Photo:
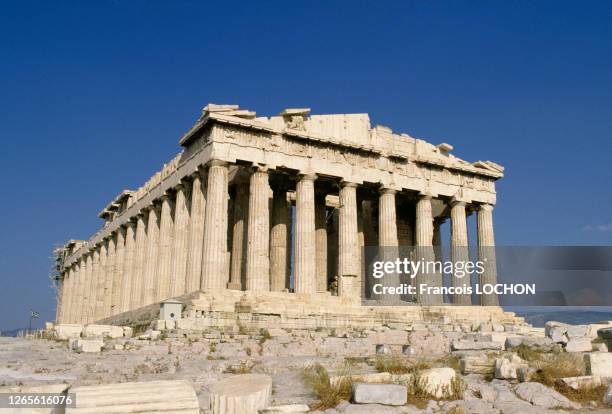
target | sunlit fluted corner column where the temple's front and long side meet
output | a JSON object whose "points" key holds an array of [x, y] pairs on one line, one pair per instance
{"points": [[214, 252]]}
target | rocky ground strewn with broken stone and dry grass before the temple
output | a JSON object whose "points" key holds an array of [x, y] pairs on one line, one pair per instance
{"points": [[464, 373]]}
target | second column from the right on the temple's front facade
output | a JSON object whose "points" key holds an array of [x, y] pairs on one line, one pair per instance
{"points": [[459, 250]]}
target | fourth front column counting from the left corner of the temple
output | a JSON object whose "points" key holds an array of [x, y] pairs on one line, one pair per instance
{"points": [[348, 243]]}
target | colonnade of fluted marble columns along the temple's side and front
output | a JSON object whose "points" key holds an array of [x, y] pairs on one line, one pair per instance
{"points": [[159, 254]]}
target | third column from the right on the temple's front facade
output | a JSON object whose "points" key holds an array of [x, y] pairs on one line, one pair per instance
{"points": [[424, 250]]}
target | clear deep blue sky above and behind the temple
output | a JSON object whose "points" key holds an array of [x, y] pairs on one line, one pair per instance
{"points": [[94, 97]]}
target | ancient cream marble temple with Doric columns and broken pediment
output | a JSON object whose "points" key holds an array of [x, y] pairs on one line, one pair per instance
{"points": [[273, 204]]}
